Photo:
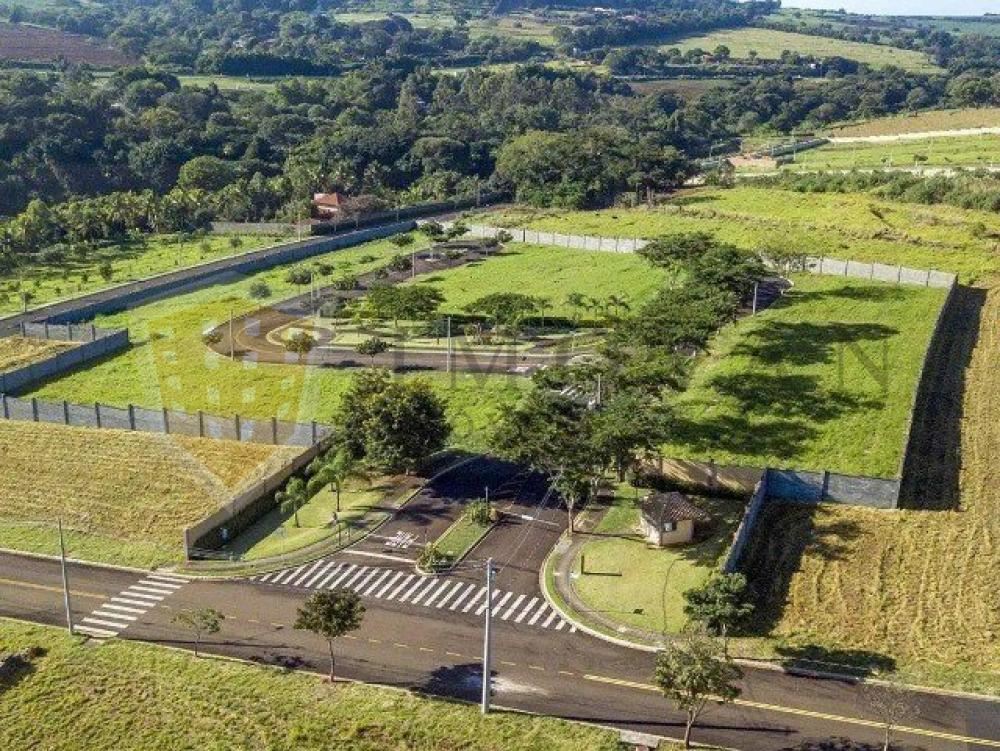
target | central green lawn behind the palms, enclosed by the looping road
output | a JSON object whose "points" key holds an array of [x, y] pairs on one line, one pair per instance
{"points": [[551, 273]]}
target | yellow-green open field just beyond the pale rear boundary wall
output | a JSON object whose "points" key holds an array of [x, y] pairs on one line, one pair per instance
{"points": [[858, 226]]}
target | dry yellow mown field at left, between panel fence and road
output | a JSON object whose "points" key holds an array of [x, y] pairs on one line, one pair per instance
{"points": [[124, 497]]}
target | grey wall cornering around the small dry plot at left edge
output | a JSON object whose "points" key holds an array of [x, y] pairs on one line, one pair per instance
{"points": [[94, 344]]}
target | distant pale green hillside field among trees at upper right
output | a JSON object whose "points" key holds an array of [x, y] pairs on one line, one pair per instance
{"points": [[769, 45]]}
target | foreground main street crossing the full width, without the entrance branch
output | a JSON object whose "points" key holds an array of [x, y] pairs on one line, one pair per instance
{"points": [[556, 672]]}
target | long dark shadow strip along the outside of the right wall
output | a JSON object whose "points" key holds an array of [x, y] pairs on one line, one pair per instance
{"points": [[933, 457]]}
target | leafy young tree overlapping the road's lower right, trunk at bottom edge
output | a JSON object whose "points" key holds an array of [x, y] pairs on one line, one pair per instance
{"points": [[693, 672]]}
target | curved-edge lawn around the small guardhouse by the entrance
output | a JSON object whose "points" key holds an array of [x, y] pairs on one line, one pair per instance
{"points": [[643, 586]]}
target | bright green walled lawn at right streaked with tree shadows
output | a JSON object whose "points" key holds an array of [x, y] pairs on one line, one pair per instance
{"points": [[822, 380]]}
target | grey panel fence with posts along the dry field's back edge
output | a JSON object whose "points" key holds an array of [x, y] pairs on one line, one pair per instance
{"points": [[167, 421]]}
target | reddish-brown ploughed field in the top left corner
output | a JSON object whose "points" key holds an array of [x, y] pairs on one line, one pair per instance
{"points": [[26, 43]]}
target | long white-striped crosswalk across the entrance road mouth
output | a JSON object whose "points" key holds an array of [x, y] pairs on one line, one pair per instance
{"points": [[445, 594]]}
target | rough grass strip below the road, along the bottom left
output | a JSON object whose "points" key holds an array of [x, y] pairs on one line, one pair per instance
{"points": [[125, 696]]}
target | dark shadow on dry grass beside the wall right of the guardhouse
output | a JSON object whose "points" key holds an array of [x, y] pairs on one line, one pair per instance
{"points": [[782, 536]]}
